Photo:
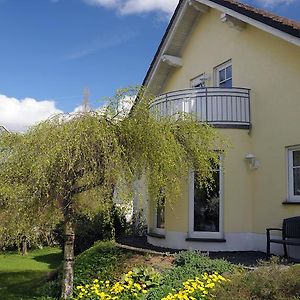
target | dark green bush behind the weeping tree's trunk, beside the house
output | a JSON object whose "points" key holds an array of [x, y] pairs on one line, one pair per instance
{"points": [[89, 230]]}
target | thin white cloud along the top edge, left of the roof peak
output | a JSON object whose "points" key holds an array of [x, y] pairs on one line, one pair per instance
{"points": [[137, 6]]}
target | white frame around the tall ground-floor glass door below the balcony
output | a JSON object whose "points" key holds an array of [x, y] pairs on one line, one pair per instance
{"points": [[203, 234]]}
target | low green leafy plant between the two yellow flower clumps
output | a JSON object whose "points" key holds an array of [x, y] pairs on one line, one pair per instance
{"points": [[187, 265]]}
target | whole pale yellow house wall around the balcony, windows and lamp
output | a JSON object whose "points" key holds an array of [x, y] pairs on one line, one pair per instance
{"points": [[270, 67]]}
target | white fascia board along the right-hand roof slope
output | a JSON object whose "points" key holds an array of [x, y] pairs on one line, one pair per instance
{"points": [[285, 36]]}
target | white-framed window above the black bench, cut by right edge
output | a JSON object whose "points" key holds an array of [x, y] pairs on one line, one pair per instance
{"points": [[294, 174]]}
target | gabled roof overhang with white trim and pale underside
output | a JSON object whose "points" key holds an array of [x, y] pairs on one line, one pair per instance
{"points": [[183, 20]]}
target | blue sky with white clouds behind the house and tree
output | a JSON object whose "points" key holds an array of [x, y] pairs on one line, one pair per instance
{"points": [[52, 49]]}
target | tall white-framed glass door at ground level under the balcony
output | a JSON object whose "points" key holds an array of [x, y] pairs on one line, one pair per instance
{"points": [[206, 208]]}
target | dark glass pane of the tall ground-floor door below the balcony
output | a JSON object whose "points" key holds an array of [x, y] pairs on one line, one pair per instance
{"points": [[207, 207]]}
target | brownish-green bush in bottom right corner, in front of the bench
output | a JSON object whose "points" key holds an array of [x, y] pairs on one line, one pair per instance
{"points": [[268, 282]]}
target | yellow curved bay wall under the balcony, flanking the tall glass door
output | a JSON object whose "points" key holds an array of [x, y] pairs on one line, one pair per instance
{"points": [[237, 190]]}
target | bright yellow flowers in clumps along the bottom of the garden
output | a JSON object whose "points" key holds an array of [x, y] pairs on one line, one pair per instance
{"points": [[138, 283]]}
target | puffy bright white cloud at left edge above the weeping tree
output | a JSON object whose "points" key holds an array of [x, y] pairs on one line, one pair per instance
{"points": [[18, 115]]}
